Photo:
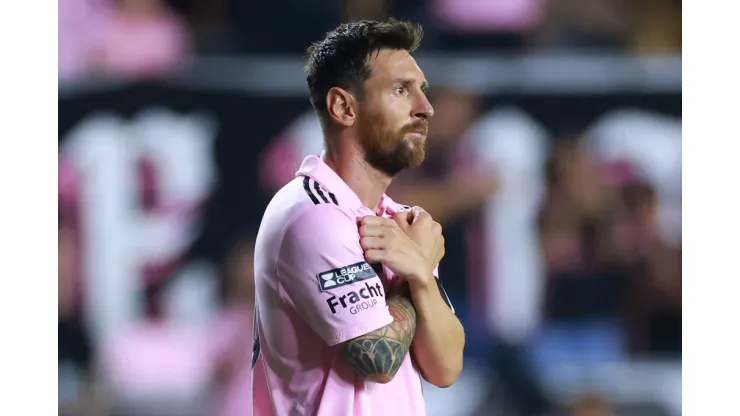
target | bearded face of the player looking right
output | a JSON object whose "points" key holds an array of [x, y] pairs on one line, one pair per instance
{"points": [[392, 119]]}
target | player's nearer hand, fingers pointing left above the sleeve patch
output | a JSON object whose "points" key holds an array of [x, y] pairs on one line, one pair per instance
{"points": [[383, 241]]}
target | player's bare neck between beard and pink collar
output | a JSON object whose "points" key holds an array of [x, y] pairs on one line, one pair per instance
{"points": [[368, 183]]}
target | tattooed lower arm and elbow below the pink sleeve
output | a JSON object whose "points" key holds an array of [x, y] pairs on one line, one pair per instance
{"points": [[382, 351]]}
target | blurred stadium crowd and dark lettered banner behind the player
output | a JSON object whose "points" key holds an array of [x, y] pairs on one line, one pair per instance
{"points": [[554, 164]]}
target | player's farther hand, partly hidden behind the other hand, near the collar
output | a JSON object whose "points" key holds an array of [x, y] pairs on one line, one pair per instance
{"points": [[424, 231]]}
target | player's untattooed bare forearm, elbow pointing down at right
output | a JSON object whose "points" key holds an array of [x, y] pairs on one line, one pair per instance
{"points": [[440, 337]]}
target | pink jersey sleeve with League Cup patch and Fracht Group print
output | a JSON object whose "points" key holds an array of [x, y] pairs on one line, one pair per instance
{"points": [[324, 274]]}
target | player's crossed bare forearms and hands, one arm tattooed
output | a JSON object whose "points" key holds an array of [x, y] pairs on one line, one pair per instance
{"points": [[439, 341]]}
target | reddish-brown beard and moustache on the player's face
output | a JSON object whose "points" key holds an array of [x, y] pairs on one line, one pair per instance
{"points": [[389, 150]]}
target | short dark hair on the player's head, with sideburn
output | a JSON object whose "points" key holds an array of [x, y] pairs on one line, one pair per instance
{"points": [[340, 59]]}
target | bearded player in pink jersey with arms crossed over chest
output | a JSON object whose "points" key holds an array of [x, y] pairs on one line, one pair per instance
{"points": [[349, 310]]}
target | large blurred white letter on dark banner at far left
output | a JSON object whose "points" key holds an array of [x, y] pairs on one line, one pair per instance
{"points": [[140, 185]]}
